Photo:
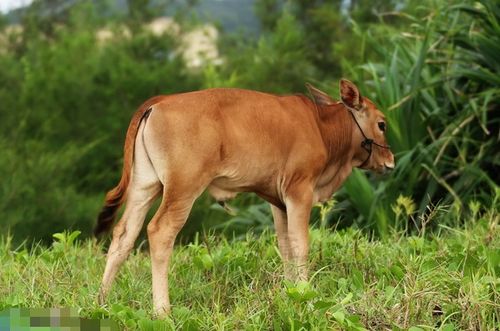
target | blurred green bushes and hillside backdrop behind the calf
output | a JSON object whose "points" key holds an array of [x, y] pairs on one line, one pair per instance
{"points": [[72, 73]]}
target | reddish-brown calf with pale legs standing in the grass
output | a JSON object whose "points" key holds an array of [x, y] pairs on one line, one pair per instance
{"points": [[290, 150]]}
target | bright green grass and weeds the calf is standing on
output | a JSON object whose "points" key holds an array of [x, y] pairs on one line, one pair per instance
{"points": [[448, 281]]}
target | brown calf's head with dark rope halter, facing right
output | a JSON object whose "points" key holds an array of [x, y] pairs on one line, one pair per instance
{"points": [[372, 151]]}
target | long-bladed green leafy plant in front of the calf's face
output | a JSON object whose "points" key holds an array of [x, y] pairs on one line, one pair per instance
{"points": [[439, 112]]}
